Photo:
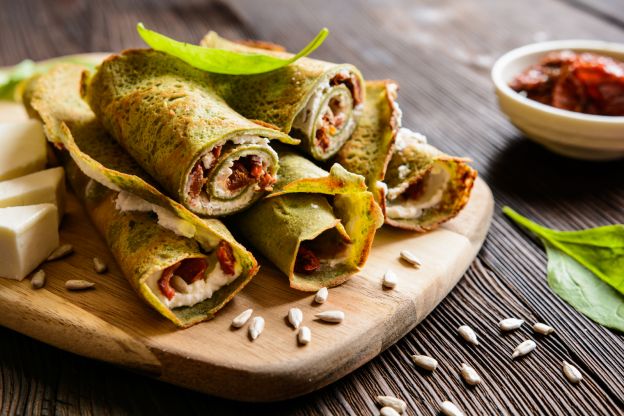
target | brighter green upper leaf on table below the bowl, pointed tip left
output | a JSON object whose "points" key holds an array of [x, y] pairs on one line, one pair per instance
{"points": [[601, 249]]}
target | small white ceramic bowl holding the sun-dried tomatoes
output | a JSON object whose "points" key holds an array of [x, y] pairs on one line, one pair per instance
{"points": [[577, 135]]}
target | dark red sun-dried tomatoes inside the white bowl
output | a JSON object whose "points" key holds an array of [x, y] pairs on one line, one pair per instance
{"points": [[582, 82]]}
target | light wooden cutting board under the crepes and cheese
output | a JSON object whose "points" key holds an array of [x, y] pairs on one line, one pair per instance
{"points": [[112, 324]]}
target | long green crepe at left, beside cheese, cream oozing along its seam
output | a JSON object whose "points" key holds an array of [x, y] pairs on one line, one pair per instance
{"points": [[185, 267]]}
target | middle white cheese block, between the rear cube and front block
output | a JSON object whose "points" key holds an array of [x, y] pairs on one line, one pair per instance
{"points": [[37, 188]]}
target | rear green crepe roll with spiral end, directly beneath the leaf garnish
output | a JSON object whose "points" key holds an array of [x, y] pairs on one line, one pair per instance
{"points": [[313, 100]]}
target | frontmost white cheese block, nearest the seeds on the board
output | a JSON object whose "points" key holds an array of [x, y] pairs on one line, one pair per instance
{"points": [[28, 234]]}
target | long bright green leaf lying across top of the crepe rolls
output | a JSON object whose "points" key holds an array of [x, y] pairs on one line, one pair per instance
{"points": [[222, 61]]}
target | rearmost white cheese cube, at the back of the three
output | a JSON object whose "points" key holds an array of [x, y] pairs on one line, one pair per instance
{"points": [[22, 149]]}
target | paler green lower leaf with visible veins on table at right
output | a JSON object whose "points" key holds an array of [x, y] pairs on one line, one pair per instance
{"points": [[582, 290]]}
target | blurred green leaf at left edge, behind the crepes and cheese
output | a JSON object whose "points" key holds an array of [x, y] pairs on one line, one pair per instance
{"points": [[11, 78]]}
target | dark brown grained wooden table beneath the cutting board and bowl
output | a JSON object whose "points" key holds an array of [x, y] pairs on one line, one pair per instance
{"points": [[440, 51]]}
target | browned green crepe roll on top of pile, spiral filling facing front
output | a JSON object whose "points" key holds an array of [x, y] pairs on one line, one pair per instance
{"points": [[167, 116]]}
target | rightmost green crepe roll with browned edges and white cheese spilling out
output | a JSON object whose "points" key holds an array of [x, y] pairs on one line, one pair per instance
{"points": [[417, 186]]}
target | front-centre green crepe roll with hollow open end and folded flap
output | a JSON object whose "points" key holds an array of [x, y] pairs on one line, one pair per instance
{"points": [[317, 227]]}
